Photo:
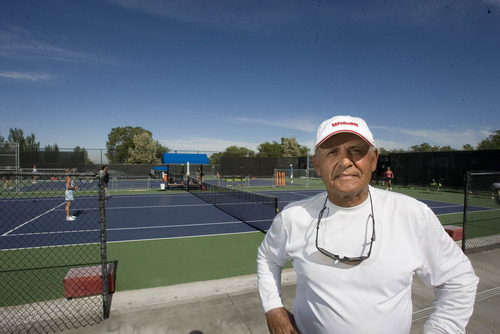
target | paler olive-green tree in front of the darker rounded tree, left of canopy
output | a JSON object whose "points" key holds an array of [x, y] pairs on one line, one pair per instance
{"points": [[144, 150]]}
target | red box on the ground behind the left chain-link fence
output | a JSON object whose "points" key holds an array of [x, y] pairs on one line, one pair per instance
{"points": [[86, 281]]}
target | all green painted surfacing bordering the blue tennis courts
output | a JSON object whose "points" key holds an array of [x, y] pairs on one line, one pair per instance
{"points": [[162, 262]]}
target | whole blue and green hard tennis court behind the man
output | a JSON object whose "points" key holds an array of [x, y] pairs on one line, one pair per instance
{"points": [[154, 238]]}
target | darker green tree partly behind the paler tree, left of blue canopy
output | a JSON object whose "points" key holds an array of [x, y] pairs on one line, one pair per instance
{"points": [[121, 139]]}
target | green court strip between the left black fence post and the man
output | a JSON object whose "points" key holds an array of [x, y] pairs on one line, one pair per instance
{"points": [[146, 264]]}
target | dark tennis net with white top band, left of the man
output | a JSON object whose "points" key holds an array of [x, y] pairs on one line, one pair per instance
{"points": [[256, 210]]}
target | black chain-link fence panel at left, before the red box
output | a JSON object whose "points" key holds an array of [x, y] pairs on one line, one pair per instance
{"points": [[53, 270]]}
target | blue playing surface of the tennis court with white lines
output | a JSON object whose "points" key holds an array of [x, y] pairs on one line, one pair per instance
{"points": [[137, 217]]}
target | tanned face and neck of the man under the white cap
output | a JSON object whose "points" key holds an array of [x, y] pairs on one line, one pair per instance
{"points": [[345, 162]]}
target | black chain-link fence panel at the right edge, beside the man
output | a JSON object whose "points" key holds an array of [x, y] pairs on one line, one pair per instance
{"points": [[481, 222]]}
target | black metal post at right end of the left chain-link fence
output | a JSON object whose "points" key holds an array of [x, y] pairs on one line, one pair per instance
{"points": [[104, 257]]}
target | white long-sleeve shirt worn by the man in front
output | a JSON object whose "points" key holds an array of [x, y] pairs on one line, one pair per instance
{"points": [[375, 295]]}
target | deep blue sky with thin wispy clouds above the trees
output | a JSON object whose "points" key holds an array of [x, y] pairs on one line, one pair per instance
{"points": [[204, 75]]}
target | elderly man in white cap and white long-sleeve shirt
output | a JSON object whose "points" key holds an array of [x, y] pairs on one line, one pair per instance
{"points": [[355, 250]]}
